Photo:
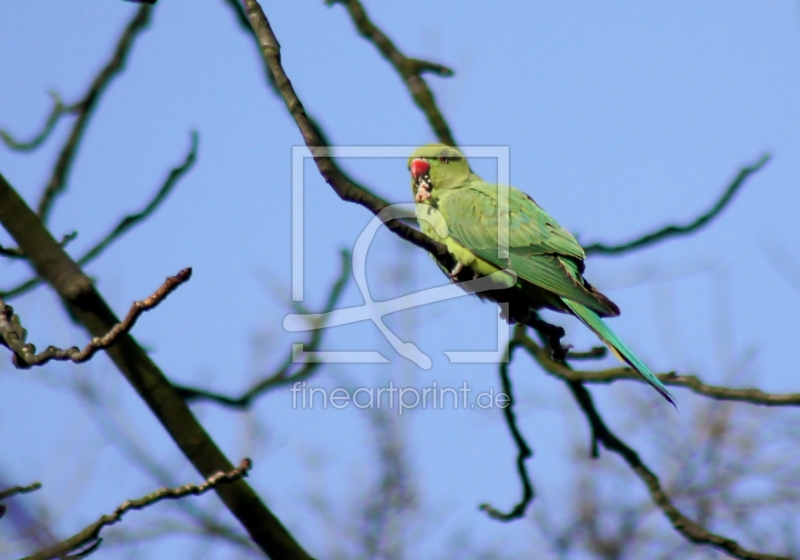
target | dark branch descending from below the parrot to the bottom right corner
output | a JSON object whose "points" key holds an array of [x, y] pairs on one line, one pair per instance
{"points": [[602, 435]]}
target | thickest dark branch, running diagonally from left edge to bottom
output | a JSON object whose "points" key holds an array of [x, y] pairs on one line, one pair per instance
{"points": [[87, 307]]}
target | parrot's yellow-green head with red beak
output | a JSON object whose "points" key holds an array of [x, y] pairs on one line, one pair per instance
{"points": [[436, 166]]}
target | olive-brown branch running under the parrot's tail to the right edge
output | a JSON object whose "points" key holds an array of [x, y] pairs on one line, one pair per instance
{"points": [[691, 382]]}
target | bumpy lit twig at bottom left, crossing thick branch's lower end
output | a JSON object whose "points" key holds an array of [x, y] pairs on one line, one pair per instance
{"points": [[89, 540]]}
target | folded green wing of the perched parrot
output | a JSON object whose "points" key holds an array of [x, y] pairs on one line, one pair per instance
{"points": [[540, 251]]}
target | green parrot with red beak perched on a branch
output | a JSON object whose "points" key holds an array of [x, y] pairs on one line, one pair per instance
{"points": [[547, 259]]}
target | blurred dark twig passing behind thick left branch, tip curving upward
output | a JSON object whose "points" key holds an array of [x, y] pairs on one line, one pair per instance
{"points": [[125, 224]]}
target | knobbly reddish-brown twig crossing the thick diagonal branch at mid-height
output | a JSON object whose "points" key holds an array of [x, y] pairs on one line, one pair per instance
{"points": [[12, 335]]}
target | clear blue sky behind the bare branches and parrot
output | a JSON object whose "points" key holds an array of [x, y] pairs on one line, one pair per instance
{"points": [[620, 117]]}
